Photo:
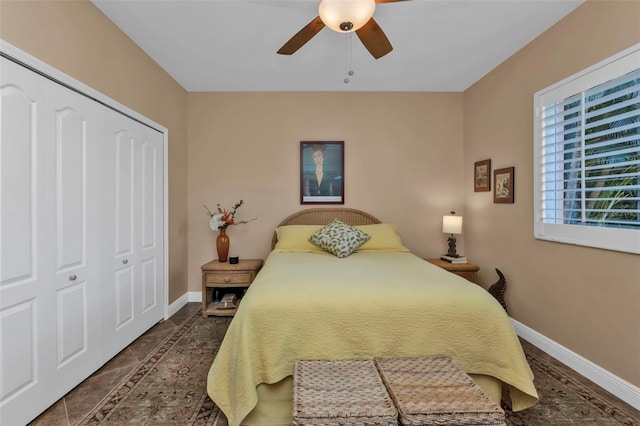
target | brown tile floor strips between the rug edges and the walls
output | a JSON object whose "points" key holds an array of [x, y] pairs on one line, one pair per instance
{"points": [[70, 409]]}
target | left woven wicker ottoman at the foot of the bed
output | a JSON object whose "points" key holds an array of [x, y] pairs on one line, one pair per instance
{"points": [[341, 392]]}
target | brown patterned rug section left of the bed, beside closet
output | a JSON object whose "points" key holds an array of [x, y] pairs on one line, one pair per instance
{"points": [[169, 386]]}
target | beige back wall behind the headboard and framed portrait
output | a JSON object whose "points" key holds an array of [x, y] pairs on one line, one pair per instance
{"points": [[403, 162]]}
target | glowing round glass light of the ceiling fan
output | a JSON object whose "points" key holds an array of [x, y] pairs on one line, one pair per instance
{"points": [[346, 16]]}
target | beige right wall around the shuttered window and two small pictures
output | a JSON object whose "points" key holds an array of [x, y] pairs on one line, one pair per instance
{"points": [[583, 298]]}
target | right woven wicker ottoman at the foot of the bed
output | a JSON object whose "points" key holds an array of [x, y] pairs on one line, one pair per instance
{"points": [[435, 391]]}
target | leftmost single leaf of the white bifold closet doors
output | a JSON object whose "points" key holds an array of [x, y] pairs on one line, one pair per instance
{"points": [[26, 263]]}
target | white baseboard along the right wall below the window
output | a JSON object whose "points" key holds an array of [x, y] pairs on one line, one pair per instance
{"points": [[624, 390]]}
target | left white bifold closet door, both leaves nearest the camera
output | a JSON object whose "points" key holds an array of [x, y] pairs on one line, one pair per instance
{"points": [[49, 293]]}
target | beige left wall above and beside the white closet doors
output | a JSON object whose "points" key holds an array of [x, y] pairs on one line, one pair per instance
{"points": [[77, 39]]}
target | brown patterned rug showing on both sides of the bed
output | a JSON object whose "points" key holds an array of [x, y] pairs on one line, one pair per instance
{"points": [[169, 388]]}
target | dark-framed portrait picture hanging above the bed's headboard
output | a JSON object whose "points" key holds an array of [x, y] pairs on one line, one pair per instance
{"points": [[322, 172]]}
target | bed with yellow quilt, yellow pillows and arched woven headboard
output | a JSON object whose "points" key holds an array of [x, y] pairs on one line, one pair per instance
{"points": [[381, 300]]}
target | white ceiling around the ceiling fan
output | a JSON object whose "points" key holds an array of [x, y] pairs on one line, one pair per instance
{"points": [[230, 45]]}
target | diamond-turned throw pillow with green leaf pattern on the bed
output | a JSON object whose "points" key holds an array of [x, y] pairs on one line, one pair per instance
{"points": [[339, 239]]}
